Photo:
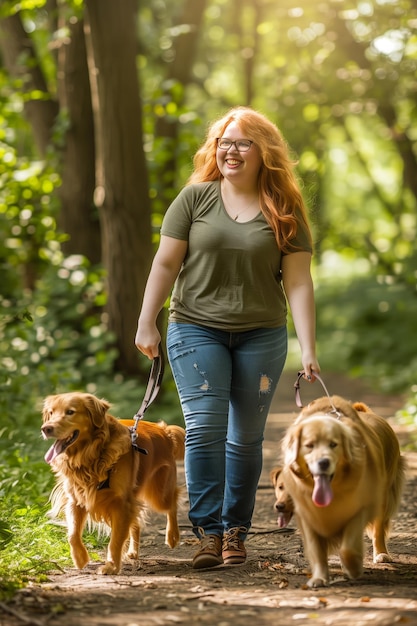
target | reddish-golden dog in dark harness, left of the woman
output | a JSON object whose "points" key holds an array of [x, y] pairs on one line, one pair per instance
{"points": [[101, 476]]}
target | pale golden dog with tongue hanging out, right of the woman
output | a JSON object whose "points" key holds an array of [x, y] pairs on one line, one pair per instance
{"points": [[345, 474]]}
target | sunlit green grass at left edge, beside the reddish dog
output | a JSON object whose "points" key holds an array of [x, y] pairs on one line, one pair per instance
{"points": [[29, 545]]}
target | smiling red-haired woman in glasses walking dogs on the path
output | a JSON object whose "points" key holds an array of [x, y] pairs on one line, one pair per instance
{"points": [[233, 241]]}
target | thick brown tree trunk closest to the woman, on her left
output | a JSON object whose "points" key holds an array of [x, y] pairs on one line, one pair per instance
{"points": [[121, 176]]}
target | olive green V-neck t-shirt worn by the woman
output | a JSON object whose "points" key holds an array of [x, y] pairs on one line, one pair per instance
{"points": [[230, 278]]}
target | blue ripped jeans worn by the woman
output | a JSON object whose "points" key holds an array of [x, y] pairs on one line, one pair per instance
{"points": [[225, 381]]}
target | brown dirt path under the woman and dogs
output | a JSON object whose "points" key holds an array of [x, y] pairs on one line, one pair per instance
{"points": [[270, 588]]}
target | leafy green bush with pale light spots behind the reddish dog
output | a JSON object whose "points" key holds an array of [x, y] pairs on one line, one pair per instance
{"points": [[56, 340]]}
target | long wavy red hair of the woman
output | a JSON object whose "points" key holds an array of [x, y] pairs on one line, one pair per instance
{"points": [[281, 201]]}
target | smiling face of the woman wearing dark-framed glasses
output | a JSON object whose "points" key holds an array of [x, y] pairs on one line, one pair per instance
{"points": [[241, 168]]}
